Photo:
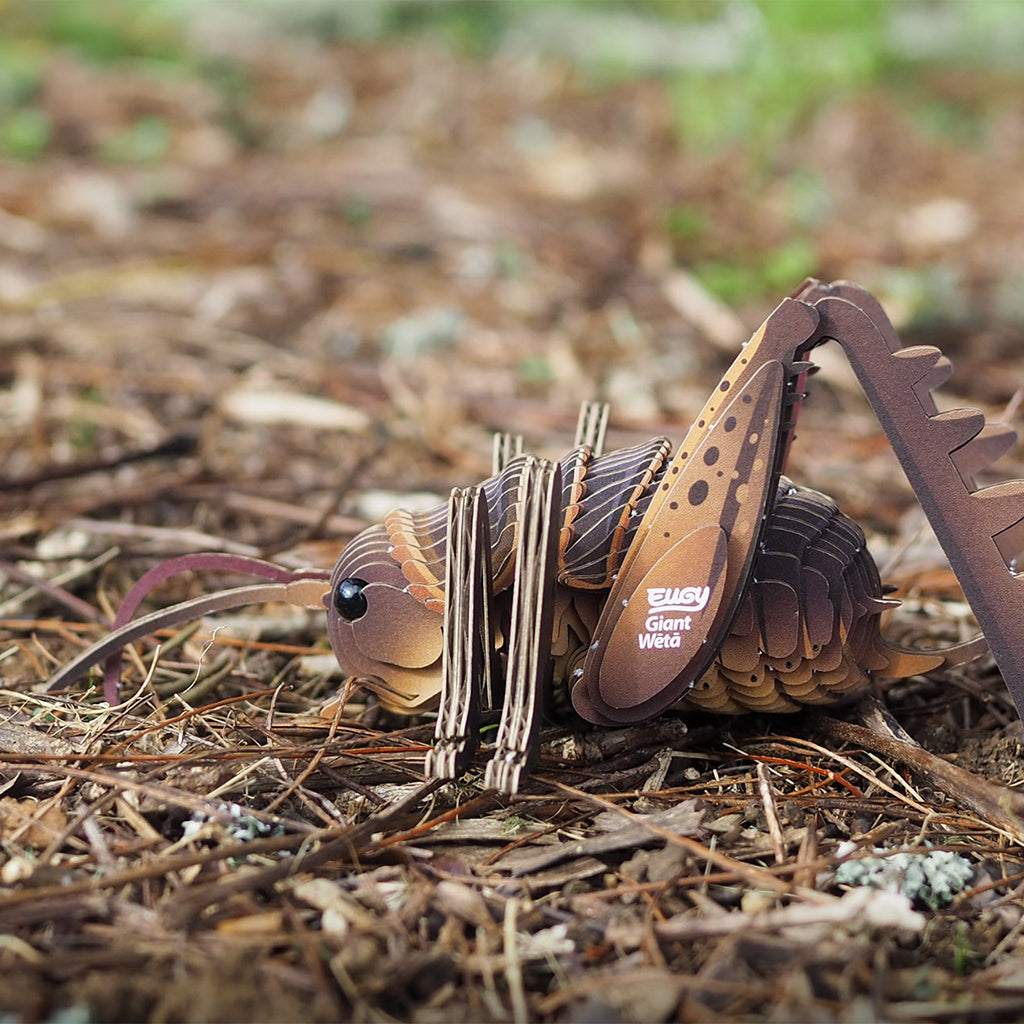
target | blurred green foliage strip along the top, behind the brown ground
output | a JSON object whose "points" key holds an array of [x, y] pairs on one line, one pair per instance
{"points": [[738, 70]]}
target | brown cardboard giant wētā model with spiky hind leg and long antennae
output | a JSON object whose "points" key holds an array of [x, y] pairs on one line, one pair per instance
{"points": [[644, 580]]}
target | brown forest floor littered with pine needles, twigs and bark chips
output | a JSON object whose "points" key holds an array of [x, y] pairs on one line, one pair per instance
{"points": [[435, 247]]}
